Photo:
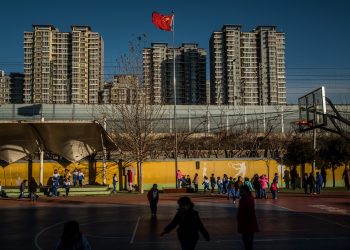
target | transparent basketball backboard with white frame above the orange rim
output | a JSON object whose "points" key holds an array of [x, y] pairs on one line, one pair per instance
{"points": [[312, 110]]}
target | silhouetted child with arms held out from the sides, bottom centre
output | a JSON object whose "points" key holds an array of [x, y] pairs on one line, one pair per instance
{"points": [[188, 225]]}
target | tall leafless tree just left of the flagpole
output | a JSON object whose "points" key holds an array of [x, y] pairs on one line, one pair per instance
{"points": [[132, 122]]}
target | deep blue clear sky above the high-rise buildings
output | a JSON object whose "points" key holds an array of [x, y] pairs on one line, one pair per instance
{"points": [[317, 32]]}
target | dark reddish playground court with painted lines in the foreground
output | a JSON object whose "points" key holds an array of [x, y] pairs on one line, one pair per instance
{"points": [[123, 221]]}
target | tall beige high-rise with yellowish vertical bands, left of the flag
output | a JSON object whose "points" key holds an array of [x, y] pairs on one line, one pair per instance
{"points": [[62, 67]]}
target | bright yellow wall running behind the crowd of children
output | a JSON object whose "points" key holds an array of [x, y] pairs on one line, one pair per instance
{"points": [[160, 172]]}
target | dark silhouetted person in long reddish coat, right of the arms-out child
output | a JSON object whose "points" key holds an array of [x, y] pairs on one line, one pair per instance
{"points": [[246, 218]]}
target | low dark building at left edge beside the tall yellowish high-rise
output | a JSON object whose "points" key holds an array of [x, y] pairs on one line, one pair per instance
{"points": [[11, 87]]}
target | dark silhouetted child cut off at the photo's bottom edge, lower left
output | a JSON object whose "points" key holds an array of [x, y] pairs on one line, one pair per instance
{"points": [[72, 238]]}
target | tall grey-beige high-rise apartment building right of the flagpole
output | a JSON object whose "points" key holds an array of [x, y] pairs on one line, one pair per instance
{"points": [[247, 68]]}
